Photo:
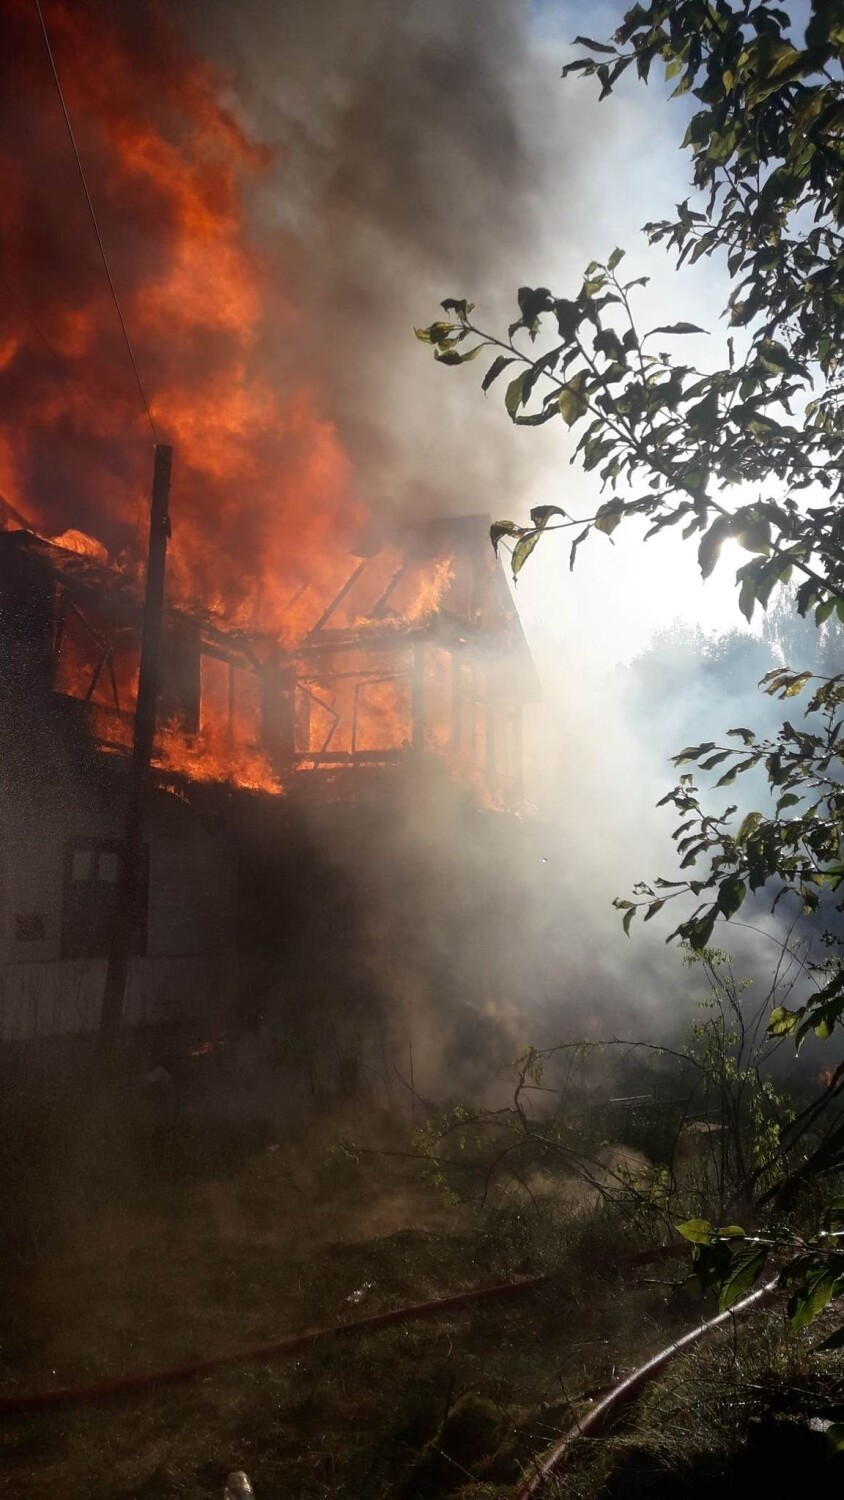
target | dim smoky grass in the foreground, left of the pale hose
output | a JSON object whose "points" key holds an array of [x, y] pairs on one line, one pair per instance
{"points": [[182, 1222]]}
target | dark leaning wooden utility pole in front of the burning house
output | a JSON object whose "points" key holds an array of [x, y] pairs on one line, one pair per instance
{"points": [[130, 887]]}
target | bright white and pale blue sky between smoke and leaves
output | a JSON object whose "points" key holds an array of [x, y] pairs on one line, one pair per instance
{"points": [[618, 596]]}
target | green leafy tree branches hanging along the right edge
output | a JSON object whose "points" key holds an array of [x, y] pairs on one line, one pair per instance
{"points": [[749, 448]]}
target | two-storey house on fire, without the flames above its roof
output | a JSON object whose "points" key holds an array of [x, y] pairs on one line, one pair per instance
{"points": [[283, 773]]}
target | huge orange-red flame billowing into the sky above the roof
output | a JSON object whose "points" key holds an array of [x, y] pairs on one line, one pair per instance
{"points": [[263, 490]]}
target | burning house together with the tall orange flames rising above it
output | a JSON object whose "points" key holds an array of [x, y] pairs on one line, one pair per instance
{"points": [[338, 745]]}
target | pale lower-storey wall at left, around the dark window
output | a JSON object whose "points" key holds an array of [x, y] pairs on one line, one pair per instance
{"points": [[191, 970]]}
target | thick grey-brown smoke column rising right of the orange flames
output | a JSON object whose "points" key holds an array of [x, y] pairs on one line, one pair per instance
{"points": [[418, 145]]}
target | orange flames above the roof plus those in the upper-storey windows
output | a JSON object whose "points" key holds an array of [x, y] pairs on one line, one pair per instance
{"points": [[265, 502]]}
